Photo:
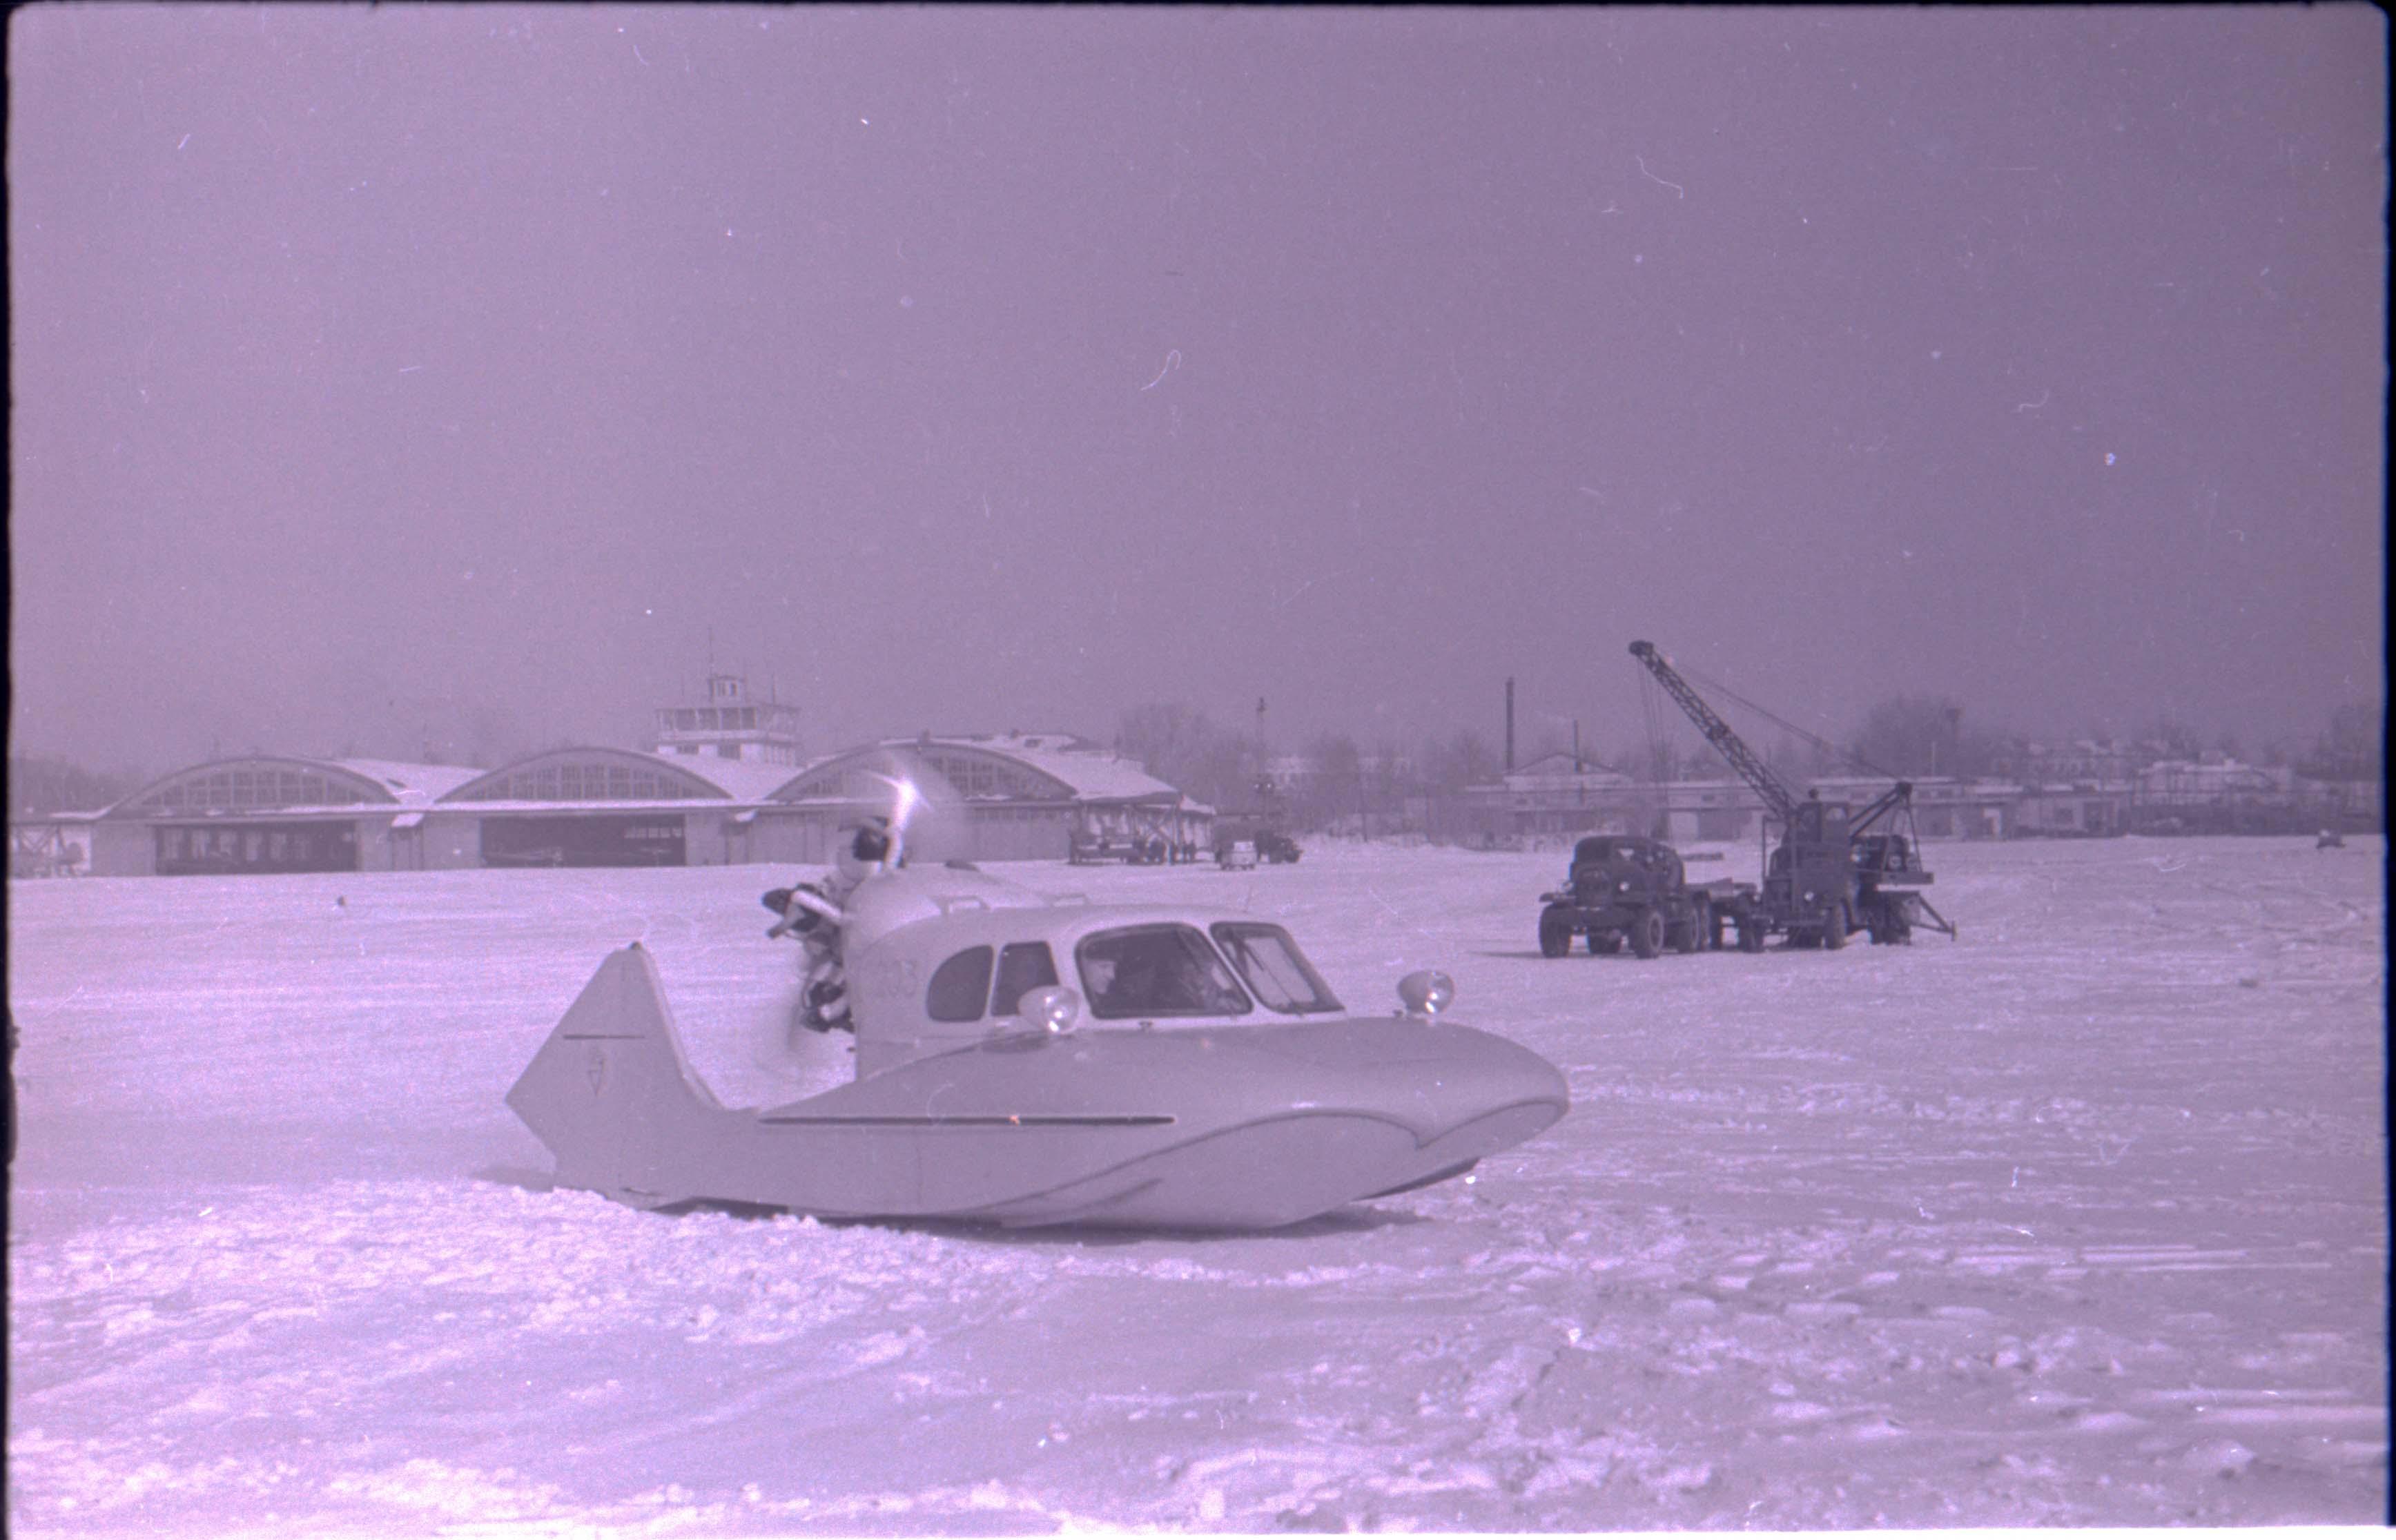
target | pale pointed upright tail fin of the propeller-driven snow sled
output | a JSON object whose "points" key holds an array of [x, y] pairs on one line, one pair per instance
{"points": [[612, 1096]]}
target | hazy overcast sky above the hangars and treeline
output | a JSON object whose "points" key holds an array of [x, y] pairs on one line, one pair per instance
{"points": [[394, 377]]}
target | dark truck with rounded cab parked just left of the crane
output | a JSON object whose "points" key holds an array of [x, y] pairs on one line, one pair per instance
{"points": [[1626, 890]]}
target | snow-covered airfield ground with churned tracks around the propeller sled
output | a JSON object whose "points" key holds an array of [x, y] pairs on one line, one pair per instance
{"points": [[2076, 1220]]}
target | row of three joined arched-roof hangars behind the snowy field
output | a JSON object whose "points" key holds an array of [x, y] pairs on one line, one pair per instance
{"points": [[993, 799]]}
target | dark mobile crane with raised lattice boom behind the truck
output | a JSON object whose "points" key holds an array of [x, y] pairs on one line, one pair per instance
{"points": [[1839, 868]]}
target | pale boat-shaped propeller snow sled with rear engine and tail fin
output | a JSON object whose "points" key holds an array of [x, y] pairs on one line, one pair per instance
{"points": [[1031, 1060]]}
